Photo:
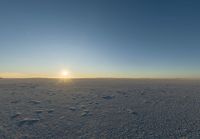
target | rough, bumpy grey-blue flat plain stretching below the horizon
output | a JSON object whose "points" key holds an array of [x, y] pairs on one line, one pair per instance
{"points": [[99, 109]]}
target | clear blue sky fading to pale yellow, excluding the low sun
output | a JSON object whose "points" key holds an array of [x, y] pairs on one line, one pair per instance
{"points": [[100, 38]]}
